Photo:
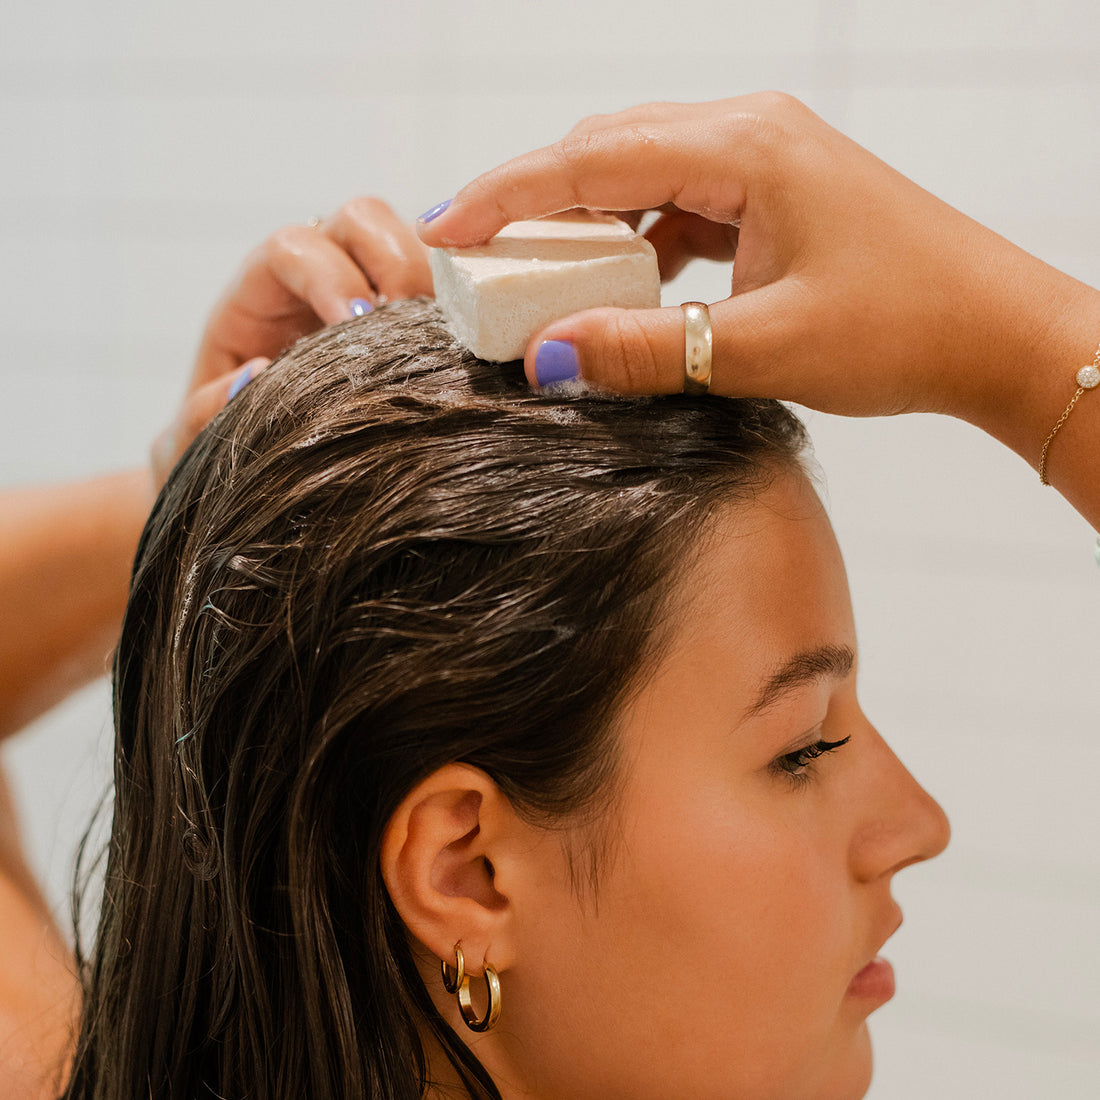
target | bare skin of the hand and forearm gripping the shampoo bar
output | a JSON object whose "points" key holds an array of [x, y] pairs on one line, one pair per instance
{"points": [[855, 292]]}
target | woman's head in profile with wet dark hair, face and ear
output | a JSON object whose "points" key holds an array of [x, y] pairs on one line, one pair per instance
{"points": [[414, 657]]}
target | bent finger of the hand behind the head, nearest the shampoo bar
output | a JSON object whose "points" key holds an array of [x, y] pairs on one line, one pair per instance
{"points": [[386, 248]]}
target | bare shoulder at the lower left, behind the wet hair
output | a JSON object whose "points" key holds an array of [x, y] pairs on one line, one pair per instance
{"points": [[39, 993]]}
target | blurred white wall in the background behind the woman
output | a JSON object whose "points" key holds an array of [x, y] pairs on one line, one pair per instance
{"points": [[147, 148]]}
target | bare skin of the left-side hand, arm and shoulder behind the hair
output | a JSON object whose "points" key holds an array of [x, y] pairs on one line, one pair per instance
{"points": [[65, 560]]}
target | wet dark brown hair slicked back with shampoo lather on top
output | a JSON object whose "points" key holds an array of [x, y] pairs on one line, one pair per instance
{"points": [[384, 557]]}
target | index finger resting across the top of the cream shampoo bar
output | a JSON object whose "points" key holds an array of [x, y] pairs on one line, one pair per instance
{"points": [[633, 168]]}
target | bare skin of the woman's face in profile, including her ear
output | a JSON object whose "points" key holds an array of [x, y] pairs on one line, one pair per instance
{"points": [[736, 903]]}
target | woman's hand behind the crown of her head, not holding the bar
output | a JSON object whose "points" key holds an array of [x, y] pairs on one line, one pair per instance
{"points": [[299, 280]]}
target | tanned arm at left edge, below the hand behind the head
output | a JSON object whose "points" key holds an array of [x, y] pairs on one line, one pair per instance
{"points": [[65, 559]]}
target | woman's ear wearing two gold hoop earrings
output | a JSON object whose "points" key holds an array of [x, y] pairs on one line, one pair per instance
{"points": [[439, 862]]}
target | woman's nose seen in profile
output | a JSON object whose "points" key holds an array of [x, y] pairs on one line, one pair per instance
{"points": [[899, 823]]}
